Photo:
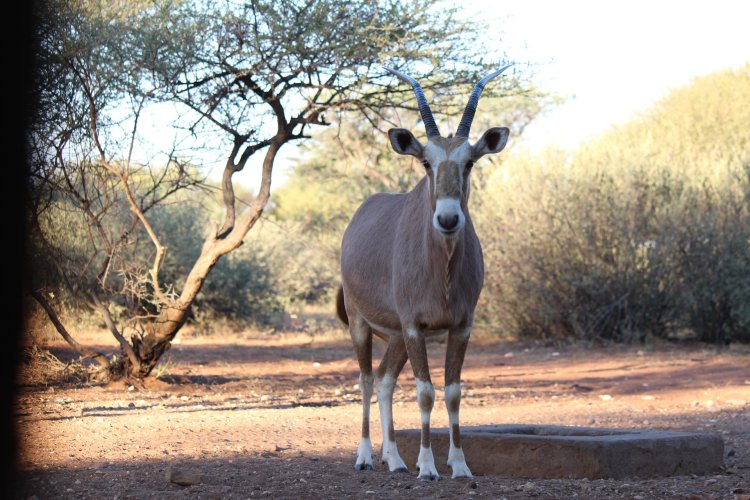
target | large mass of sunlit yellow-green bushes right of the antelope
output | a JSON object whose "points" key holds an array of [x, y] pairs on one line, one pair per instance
{"points": [[645, 231]]}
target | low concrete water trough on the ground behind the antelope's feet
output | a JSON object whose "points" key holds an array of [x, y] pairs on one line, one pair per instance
{"points": [[544, 451]]}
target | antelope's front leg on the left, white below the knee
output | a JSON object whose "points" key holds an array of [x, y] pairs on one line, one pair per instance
{"points": [[416, 348]]}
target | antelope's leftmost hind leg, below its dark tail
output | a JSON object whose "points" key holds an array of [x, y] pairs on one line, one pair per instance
{"points": [[362, 338]]}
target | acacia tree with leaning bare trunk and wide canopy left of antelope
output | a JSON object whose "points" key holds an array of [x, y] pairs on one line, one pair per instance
{"points": [[257, 75]]}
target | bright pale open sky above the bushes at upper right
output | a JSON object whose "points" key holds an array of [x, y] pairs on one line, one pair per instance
{"points": [[614, 59]]}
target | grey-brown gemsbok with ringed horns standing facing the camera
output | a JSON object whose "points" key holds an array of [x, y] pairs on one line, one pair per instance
{"points": [[411, 267]]}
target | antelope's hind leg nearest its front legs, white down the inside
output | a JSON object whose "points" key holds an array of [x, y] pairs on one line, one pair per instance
{"points": [[390, 367]]}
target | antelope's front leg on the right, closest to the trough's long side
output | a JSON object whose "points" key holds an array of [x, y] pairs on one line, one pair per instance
{"points": [[458, 340]]}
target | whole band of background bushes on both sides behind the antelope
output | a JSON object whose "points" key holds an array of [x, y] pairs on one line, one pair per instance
{"points": [[643, 232]]}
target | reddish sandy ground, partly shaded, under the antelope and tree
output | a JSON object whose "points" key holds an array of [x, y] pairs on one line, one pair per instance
{"points": [[279, 416]]}
